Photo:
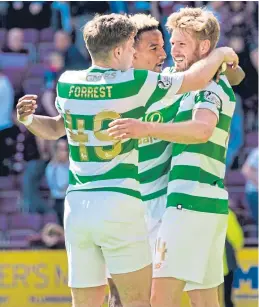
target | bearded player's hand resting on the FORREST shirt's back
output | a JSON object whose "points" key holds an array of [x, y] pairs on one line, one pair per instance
{"points": [[126, 128]]}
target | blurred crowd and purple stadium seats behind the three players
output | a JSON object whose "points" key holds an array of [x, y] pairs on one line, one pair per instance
{"points": [[41, 39]]}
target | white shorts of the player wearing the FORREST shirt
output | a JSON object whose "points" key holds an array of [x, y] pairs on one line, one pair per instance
{"points": [[104, 229]]}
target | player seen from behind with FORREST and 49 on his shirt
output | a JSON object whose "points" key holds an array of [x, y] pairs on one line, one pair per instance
{"points": [[104, 222]]}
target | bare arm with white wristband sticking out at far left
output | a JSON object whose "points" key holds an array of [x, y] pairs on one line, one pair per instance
{"points": [[49, 128]]}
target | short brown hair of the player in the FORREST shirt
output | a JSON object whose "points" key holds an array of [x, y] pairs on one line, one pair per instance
{"points": [[105, 32]]}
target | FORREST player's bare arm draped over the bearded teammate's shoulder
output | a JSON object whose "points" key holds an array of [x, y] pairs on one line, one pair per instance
{"points": [[201, 72]]}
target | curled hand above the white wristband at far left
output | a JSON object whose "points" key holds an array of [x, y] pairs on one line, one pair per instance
{"points": [[26, 106]]}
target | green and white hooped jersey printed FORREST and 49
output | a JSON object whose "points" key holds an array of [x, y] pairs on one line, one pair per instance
{"points": [[89, 100]]}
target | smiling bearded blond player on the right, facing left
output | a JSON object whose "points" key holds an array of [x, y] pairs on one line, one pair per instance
{"points": [[190, 245]]}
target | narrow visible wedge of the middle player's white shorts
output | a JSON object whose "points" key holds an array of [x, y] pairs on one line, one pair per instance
{"points": [[155, 209]]}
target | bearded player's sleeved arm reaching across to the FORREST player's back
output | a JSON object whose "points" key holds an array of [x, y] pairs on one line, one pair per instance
{"points": [[197, 130]]}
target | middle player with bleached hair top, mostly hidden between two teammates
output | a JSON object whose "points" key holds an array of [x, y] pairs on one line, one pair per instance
{"points": [[154, 154]]}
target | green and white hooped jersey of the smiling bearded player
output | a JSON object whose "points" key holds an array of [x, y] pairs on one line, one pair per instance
{"points": [[196, 180]]}
